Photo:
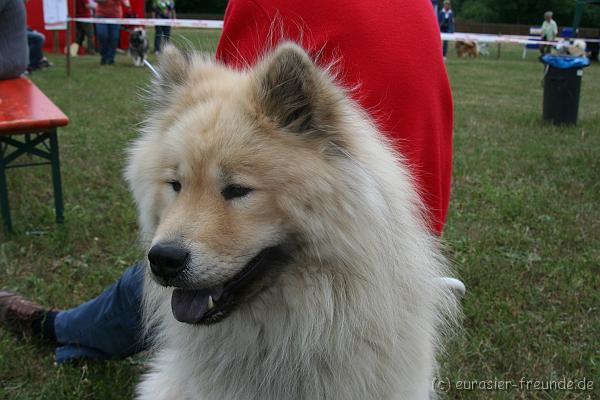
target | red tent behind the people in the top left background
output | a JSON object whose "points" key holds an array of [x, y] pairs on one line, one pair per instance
{"points": [[35, 20]]}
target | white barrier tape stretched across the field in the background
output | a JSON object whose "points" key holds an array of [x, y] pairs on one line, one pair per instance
{"points": [[214, 24]]}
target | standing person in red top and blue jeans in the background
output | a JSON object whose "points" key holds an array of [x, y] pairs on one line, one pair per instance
{"points": [[108, 34]]}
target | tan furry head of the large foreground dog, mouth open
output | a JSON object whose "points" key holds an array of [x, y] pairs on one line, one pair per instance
{"points": [[227, 164]]}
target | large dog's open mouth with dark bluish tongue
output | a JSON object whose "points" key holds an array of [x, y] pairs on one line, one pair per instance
{"points": [[211, 305]]}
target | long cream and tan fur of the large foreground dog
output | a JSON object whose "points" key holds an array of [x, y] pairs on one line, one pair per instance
{"points": [[356, 312]]}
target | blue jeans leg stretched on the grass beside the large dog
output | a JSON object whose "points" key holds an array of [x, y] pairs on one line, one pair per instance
{"points": [[107, 326]]}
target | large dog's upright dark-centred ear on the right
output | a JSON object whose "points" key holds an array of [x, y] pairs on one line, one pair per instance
{"points": [[292, 91]]}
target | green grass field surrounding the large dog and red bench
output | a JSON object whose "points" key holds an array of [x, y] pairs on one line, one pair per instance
{"points": [[523, 229]]}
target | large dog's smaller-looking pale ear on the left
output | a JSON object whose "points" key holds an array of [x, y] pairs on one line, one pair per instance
{"points": [[173, 68]]}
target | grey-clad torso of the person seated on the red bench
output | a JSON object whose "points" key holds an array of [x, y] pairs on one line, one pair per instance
{"points": [[13, 39]]}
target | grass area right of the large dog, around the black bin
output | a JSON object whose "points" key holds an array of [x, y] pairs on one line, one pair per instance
{"points": [[524, 229]]}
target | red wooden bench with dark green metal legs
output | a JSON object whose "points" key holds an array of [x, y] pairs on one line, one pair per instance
{"points": [[28, 124]]}
